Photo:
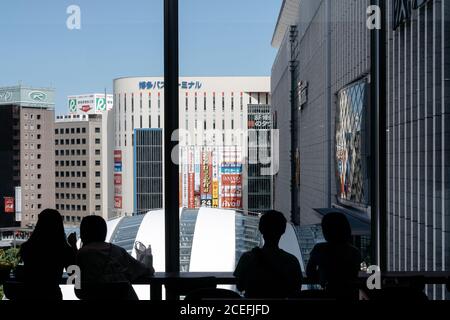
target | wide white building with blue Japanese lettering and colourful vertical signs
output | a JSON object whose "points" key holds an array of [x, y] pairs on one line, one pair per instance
{"points": [[213, 123]]}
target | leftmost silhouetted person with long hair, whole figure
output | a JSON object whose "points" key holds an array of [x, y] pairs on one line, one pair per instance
{"points": [[45, 255]]}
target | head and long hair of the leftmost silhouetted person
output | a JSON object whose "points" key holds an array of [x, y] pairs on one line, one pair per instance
{"points": [[49, 229]]}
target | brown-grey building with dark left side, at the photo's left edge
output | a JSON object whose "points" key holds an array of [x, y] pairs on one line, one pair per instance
{"points": [[26, 154]]}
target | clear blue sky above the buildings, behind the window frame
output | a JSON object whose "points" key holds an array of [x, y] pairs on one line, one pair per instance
{"points": [[125, 38]]}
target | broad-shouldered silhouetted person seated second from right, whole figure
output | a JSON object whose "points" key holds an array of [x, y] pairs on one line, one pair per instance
{"points": [[269, 272]]}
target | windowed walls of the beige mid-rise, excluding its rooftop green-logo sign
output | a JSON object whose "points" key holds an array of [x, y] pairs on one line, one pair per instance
{"points": [[78, 167]]}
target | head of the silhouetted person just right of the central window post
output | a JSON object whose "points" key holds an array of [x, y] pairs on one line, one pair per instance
{"points": [[272, 226]]}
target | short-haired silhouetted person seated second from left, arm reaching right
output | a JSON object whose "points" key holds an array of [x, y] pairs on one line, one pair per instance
{"points": [[105, 263]]}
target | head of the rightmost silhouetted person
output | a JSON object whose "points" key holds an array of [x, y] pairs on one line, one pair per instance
{"points": [[336, 228]]}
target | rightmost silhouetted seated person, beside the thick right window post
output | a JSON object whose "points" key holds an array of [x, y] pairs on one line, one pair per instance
{"points": [[335, 264]]}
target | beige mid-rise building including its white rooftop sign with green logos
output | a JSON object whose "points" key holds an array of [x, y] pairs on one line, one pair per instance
{"points": [[83, 158]]}
